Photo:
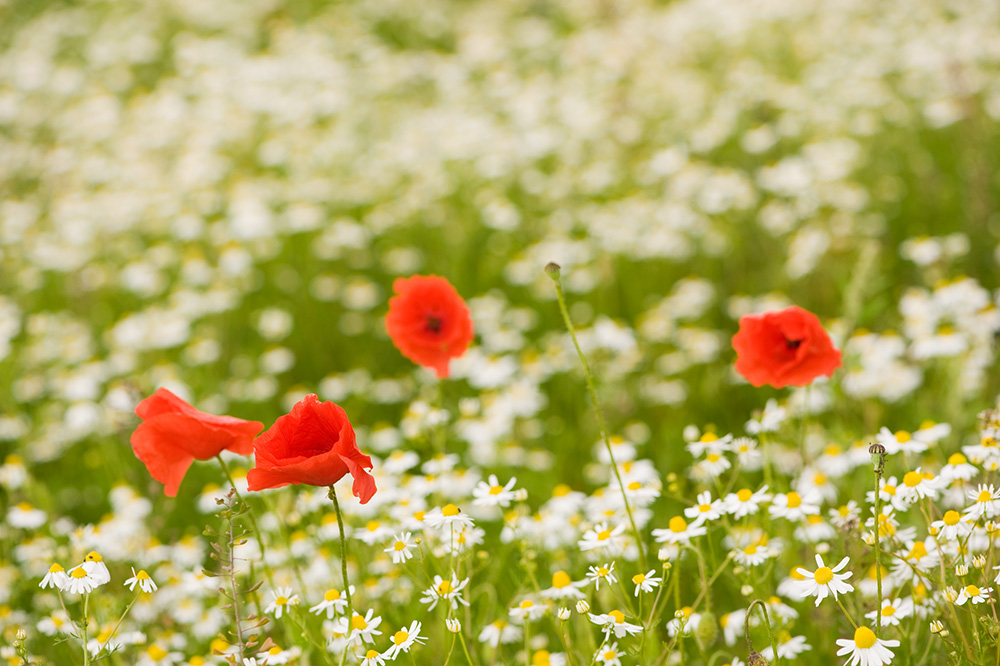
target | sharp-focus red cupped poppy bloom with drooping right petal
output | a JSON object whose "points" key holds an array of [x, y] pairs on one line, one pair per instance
{"points": [[313, 444]]}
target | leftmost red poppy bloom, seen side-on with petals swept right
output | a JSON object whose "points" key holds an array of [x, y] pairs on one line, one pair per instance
{"points": [[173, 434]]}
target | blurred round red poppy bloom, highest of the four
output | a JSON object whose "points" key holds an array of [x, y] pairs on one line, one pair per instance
{"points": [[428, 321]]}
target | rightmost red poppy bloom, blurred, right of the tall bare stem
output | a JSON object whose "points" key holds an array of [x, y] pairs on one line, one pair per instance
{"points": [[784, 347]]}
